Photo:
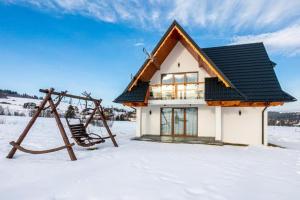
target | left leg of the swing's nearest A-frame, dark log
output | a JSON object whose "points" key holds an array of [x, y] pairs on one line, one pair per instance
{"points": [[31, 122]]}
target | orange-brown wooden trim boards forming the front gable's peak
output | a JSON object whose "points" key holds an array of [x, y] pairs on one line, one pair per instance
{"points": [[192, 46]]}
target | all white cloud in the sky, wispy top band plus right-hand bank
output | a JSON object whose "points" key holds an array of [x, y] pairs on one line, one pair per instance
{"points": [[270, 21]]}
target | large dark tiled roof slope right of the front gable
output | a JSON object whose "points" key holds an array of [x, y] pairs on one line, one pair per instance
{"points": [[250, 70]]}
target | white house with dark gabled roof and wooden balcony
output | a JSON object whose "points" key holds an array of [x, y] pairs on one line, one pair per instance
{"points": [[183, 90]]}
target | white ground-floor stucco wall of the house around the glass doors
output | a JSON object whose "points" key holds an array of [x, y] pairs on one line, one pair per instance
{"points": [[239, 129]]}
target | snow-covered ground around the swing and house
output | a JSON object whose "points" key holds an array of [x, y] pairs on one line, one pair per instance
{"points": [[146, 170]]}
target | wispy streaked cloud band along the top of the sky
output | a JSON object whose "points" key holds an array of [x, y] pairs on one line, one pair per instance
{"points": [[221, 14]]}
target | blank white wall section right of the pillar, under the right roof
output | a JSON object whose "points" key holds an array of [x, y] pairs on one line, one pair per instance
{"points": [[242, 129]]}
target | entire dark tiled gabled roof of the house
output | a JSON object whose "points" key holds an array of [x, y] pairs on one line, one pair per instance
{"points": [[246, 68]]}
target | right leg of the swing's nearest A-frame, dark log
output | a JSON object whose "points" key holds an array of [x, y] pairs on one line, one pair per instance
{"points": [[62, 131]]}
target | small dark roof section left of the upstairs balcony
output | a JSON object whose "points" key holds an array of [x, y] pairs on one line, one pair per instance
{"points": [[137, 94]]}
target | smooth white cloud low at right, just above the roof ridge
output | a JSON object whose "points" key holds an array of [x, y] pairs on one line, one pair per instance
{"points": [[285, 41]]}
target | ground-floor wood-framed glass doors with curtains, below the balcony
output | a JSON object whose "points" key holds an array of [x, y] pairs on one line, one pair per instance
{"points": [[179, 121]]}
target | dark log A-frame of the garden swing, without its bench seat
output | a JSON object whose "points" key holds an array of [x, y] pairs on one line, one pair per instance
{"points": [[48, 98]]}
